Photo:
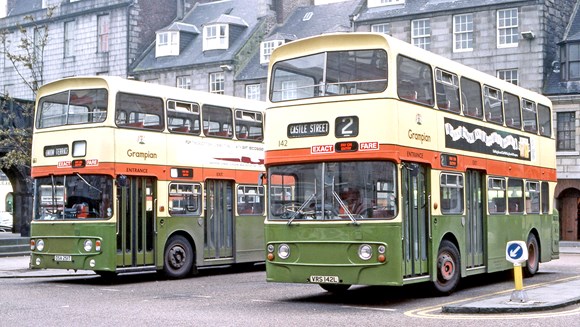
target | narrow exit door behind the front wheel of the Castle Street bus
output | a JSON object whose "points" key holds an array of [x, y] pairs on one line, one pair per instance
{"points": [[474, 224]]}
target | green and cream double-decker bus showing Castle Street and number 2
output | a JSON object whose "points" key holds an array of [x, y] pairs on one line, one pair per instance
{"points": [[390, 165]]}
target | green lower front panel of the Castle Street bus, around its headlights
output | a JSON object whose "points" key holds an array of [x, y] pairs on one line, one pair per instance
{"points": [[329, 252]]}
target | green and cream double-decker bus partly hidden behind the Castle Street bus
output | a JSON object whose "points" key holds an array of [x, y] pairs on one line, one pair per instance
{"points": [[132, 176]]}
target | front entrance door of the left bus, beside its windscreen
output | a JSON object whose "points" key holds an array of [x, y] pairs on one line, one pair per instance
{"points": [[136, 221]]}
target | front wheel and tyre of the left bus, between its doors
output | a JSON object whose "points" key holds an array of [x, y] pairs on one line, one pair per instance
{"points": [[178, 258]]}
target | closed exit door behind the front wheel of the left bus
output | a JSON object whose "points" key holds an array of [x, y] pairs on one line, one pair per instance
{"points": [[219, 218]]}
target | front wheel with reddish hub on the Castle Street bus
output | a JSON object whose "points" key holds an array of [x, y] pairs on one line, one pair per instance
{"points": [[448, 268]]}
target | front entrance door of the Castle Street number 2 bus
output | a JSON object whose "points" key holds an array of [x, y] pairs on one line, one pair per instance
{"points": [[415, 220]]}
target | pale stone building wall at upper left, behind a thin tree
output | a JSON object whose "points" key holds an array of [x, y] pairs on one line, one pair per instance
{"points": [[85, 37]]}
